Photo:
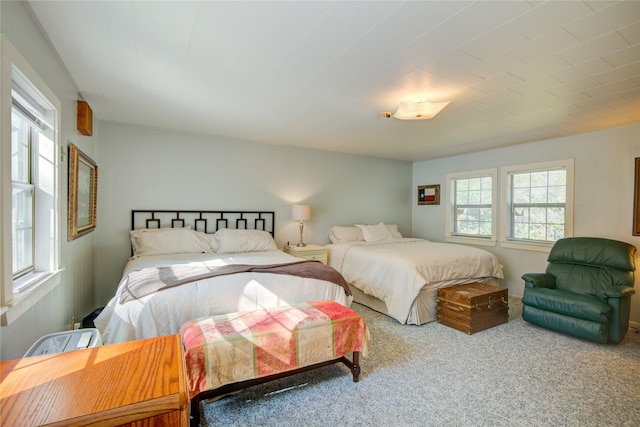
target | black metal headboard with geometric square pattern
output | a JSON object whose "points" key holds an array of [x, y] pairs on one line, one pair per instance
{"points": [[206, 221]]}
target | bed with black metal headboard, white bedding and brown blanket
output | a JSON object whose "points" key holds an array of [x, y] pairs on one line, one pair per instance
{"points": [[190, 264]]}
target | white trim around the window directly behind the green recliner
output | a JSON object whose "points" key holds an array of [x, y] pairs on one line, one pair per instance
{"points": [[505, 184]]}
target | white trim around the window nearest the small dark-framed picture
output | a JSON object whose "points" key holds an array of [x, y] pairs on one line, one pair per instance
{"points": [[450, 201]]}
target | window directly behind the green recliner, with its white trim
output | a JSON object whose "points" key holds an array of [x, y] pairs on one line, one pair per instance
{"points": [[539, 208]]}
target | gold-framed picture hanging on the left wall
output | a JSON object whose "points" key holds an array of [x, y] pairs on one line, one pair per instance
{"points": [[83, 192]]}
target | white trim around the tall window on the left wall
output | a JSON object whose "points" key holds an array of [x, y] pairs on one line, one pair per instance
{"points": [[13, 305]]}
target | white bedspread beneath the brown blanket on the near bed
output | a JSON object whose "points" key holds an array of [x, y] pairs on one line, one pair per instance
{"points": [[164, 312]]}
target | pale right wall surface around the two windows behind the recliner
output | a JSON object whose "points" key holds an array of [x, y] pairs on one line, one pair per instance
{"points": [[604, 173]]}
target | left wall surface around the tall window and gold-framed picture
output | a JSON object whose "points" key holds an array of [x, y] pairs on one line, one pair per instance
{"points": [[74, 296]]}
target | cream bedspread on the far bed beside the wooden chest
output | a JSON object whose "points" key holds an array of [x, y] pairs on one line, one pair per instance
{"points": [[395, 271]]}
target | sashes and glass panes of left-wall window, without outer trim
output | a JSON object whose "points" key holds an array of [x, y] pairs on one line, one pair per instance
{"points": [[34, 184]]}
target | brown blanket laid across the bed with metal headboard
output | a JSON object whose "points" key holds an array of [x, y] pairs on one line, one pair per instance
{"points": [[152, 279]]}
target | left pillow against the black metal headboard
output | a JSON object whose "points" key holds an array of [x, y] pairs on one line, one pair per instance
{"points": [[158, 241]]}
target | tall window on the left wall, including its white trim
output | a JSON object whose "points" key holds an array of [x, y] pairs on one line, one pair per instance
{"points": [[30, 265]]}
